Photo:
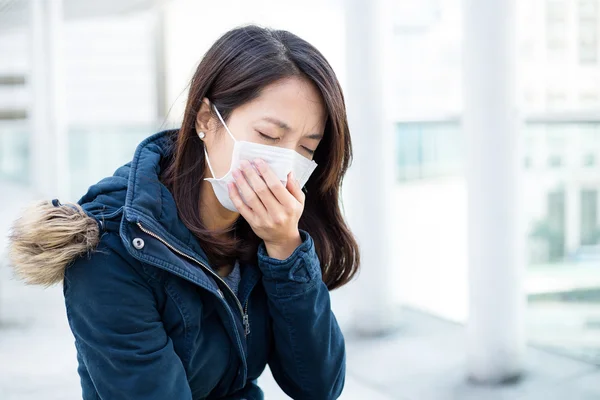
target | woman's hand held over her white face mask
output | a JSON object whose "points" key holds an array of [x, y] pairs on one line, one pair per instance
{"points": [[271, 209]]}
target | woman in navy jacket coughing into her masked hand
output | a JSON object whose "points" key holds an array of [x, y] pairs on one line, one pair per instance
{"points": [[204, 259]]}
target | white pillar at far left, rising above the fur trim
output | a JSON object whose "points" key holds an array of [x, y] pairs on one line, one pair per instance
{"points": [[48, 141]]}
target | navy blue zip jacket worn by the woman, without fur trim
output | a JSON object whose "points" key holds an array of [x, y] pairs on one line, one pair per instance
{"points": [[152, 320]]}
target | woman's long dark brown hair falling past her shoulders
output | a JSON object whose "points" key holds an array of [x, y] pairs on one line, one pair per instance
{"points": [[233, 72]]}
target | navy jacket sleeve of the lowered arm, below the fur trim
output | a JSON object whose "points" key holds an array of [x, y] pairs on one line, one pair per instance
{"points": [[123, 350]]}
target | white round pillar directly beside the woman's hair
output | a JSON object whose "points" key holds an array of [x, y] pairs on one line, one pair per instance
{"points": [[372, 176]]}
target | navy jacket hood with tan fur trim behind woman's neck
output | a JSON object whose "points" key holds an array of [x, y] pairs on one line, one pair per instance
{"points": [[48, 236]]}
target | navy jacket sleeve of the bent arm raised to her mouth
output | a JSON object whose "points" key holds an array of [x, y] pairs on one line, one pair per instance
{"points": [[308, 359]]}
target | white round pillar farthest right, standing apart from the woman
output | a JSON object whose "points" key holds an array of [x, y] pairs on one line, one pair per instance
{"points": [[495, 344]]}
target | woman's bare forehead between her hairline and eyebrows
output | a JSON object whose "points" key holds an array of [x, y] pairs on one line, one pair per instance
{"points": [[295, 101]]}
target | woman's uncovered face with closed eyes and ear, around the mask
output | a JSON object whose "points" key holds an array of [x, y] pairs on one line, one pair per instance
{"points": [[289, 113]]}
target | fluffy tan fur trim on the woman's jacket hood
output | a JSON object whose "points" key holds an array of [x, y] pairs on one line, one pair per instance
{"points": [[47, 238]]}
